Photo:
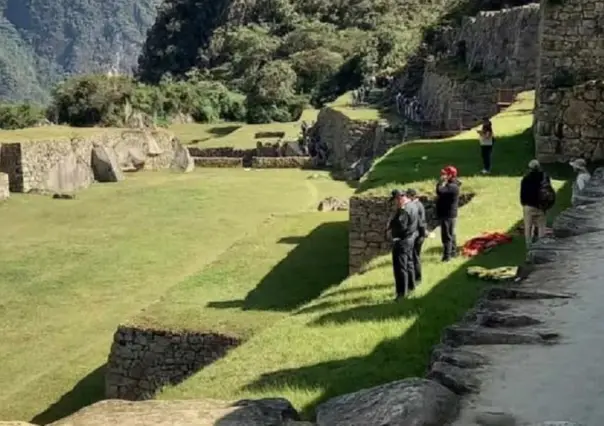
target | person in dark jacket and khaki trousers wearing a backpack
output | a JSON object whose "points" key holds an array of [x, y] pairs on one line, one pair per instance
{"points": [[536, 197]]}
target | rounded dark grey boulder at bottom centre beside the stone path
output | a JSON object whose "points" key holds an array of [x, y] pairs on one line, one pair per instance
{"points": [[417, 402]]}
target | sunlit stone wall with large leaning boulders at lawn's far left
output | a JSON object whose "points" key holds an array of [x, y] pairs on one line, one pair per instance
{"points": [[65, 166]]}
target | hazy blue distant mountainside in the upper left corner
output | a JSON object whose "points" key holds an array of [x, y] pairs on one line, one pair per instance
{"points": [[42, 41]]}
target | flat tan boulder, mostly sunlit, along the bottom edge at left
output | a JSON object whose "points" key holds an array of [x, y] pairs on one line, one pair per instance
{"points": [[262, 412]]}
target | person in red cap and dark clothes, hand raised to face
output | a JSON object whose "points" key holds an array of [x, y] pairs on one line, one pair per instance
{"points": [[447, 204]]}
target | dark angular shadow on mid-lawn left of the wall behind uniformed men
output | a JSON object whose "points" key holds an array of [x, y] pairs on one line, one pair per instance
{"points": [[319, 261]]}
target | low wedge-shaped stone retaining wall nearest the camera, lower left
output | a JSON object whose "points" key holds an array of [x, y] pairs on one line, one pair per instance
{"points": [[143, 361]]}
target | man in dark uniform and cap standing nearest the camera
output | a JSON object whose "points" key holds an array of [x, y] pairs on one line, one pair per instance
{"points": [[403, 229]]}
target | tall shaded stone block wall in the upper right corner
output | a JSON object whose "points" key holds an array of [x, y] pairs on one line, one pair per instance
{"points": [[569, 115]]}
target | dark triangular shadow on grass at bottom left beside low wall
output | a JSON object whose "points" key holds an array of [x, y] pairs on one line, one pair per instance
{"points": [[87, 391]]}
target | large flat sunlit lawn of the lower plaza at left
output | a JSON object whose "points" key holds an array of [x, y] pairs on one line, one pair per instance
{"points": [[71, 271]]}
